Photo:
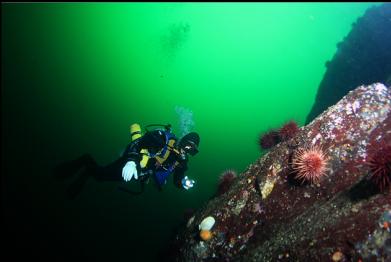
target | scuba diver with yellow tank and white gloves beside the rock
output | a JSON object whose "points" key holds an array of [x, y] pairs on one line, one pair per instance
{"points": [[156, 154]]}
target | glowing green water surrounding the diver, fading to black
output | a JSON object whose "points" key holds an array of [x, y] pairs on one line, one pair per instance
{"points": [[75, 76]]}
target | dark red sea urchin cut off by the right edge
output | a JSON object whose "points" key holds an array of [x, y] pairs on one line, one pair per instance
{"points": [[379, 161]]}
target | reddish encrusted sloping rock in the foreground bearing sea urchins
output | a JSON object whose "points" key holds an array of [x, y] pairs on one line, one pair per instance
{"points": [[269, 215]]}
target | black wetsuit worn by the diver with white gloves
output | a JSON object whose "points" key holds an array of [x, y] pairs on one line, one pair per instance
{"points": [[153, 141]]}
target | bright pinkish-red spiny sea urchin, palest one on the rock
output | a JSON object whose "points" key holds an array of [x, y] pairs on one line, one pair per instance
{"points": [[310, 163]]}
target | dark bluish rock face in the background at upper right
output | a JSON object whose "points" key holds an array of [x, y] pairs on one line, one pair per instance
{"points": [[362, 58]]}
